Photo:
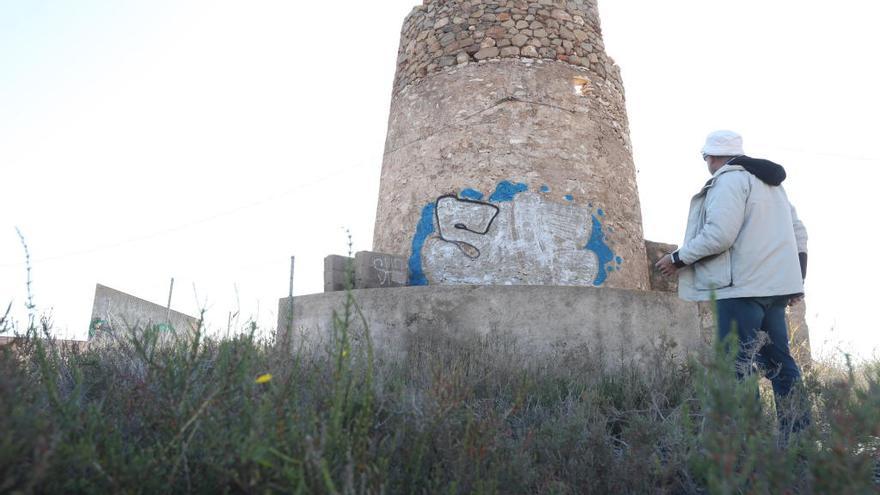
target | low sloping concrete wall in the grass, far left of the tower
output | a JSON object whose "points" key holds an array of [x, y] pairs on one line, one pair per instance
{"points": [[121, 311]]}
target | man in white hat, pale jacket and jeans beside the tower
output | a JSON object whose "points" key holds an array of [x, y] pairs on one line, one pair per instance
{"points": [[745, 246]]}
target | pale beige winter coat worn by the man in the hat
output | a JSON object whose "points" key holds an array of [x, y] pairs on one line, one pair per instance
{"points": [[742, 240]]}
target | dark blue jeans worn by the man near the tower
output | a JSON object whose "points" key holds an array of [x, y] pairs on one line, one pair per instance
{"points": [[749, 315]]}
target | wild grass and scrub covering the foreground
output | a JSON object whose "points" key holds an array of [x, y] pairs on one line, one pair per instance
{"points": [[136, 413]]}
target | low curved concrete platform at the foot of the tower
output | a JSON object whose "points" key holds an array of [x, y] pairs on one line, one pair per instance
{"points": [[538, 319]]}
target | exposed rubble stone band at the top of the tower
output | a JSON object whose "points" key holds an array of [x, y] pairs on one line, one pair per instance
{"points": [[443, 33]]}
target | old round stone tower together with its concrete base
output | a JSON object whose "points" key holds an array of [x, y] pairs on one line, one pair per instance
{"points": [[508, 201]]}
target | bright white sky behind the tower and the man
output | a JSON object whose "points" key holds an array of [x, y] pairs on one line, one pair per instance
{"points": [[211, 140]]}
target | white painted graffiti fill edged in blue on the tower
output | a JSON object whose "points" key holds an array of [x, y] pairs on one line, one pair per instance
{"points": [[529, 240]]}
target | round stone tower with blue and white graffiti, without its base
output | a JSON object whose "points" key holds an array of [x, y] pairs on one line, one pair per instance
{"points": [[508, 159]]}
